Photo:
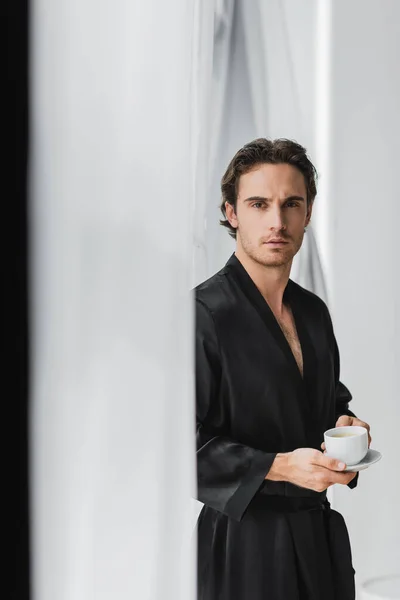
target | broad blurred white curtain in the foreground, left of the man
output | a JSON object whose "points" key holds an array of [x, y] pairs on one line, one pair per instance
{"points": [[111, 212]]}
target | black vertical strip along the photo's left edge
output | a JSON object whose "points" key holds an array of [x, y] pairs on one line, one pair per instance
{"points": [[16, 261]]}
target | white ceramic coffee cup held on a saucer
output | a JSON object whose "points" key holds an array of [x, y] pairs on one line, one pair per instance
{"points": [[348, 444]]}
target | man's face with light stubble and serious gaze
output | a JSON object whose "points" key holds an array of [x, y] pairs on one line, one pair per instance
{"points": [[271, 205]]}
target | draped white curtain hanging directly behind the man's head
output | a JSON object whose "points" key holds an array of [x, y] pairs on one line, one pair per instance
{"points": [[263, 86]]}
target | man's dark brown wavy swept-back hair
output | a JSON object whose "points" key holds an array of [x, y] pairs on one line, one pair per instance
{"points": [[257, 152]]}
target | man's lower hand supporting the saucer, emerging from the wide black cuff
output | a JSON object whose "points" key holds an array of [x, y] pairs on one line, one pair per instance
{"points": [[309, 468]]}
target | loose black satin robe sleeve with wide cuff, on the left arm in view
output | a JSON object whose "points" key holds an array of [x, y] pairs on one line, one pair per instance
{"points": [[229, 473]]}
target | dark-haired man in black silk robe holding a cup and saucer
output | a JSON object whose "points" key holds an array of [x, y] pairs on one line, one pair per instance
{"points": [[267, 387]]}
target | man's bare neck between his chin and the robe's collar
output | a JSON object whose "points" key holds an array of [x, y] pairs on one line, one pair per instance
{"points": [[270, 281]]}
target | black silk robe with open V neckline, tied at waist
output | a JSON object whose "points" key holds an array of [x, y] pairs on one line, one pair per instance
{"points": [[258, 539]]}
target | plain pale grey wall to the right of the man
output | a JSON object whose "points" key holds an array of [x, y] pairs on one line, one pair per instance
{"points": [[365, 192]]}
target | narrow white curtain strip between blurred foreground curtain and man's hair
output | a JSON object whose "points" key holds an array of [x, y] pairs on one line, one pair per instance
{"points": [[211, 69]]}
